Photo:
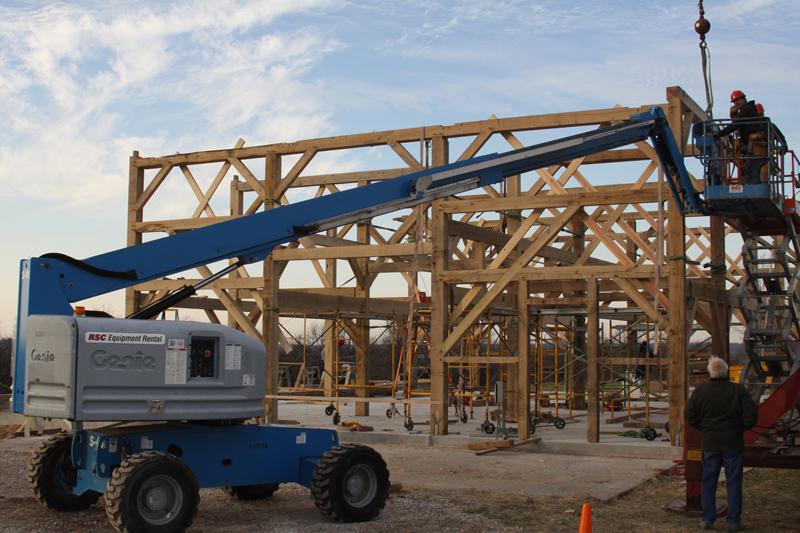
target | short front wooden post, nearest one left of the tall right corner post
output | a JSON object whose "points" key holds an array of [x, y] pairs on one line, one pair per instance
{"points": [[592, 361]]}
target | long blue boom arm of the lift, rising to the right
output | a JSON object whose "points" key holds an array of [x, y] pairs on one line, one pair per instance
{"points": [[49, 283]]}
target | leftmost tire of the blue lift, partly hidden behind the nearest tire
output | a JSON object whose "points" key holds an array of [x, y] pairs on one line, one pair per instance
{"points": [[51, 474]]}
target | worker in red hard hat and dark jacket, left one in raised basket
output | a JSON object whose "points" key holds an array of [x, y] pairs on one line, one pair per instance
{"points": [[746, 122]]}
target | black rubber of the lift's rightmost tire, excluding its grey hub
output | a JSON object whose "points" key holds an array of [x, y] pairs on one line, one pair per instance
{"points": [[333, 465]]}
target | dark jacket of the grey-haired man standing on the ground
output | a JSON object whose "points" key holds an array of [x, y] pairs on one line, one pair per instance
{"points": [[722, 411]]}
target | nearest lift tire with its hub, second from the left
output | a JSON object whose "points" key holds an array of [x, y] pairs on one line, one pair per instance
{"points": [[152, 492]]}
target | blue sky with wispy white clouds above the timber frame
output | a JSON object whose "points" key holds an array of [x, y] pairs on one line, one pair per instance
{"points": [[83, 84]]}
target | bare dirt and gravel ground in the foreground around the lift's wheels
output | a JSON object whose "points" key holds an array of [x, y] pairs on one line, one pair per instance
{"points": [[446, 490]]}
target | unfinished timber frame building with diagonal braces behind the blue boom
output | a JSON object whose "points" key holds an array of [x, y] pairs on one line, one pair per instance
{"points": [[555, 242]]}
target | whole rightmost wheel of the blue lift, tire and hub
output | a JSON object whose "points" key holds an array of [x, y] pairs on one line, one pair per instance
{"points": [[351, 483]]}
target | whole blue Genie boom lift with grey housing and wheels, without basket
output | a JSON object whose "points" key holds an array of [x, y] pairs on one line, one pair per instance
{"points": [[193, 385]]}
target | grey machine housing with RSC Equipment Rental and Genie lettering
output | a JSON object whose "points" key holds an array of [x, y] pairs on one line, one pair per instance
{"points": [[101, 369]]}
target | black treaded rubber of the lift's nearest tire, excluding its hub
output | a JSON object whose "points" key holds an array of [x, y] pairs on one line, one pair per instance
{"points": [[125, 476]]}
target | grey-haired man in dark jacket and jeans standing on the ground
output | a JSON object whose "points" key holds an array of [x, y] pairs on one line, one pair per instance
{"points": [[722, 411]]}
